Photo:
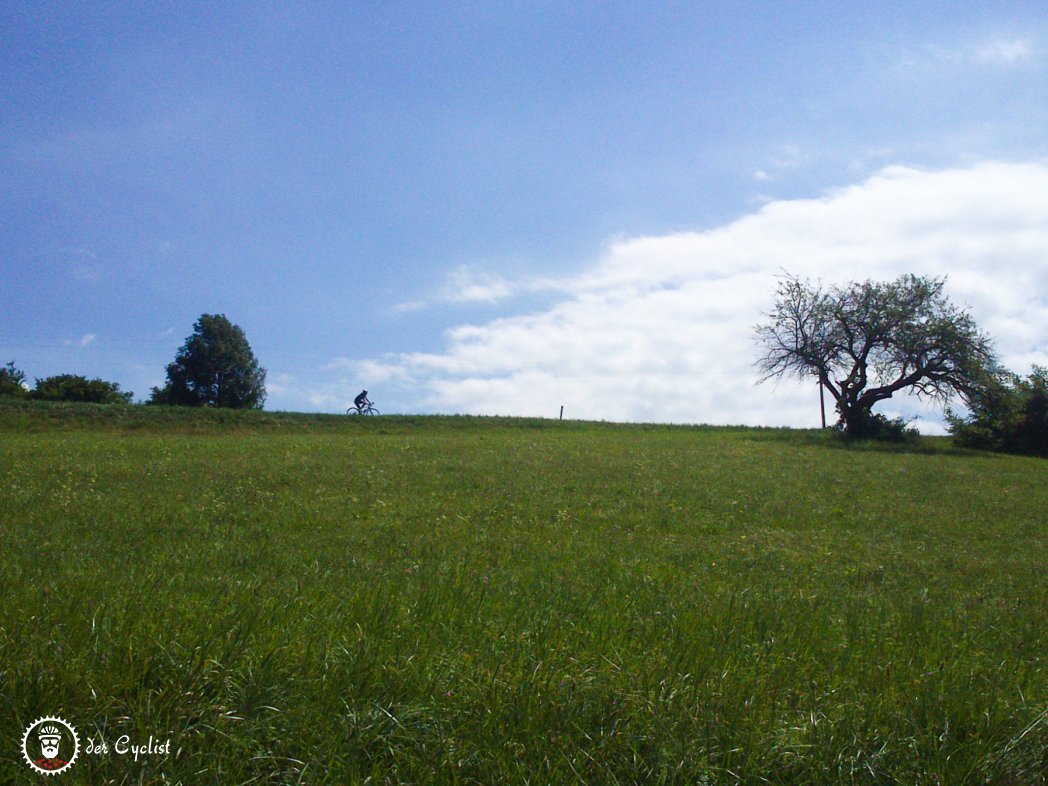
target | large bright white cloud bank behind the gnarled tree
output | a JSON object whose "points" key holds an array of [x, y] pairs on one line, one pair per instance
{"points": [[661, 330]]}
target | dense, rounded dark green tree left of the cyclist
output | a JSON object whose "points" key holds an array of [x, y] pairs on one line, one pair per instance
{"points": [[215, 367]]}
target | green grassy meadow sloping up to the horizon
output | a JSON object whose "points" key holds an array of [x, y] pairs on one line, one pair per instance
{"points": [[315, 600]]}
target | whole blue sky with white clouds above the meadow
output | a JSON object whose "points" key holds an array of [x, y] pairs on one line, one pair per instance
{"points": [[501, 208]]}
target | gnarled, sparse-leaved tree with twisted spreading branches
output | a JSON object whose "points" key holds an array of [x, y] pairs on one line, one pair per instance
{"points": [[867, 342]]}
